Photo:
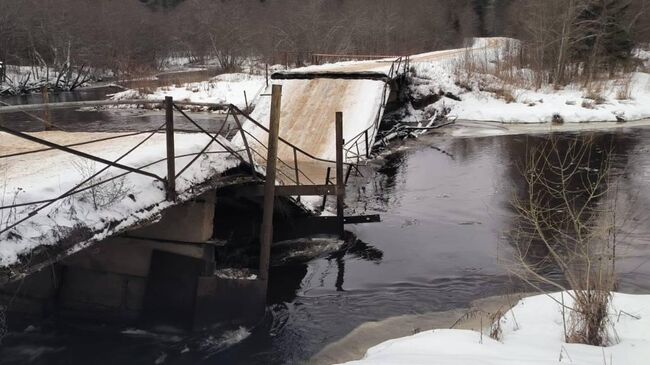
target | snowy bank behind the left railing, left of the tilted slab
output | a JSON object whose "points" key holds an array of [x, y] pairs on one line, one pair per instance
{"points": [[222, 89]]}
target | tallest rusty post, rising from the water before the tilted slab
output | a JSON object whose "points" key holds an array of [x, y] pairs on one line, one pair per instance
{"points": [[266, 236]]}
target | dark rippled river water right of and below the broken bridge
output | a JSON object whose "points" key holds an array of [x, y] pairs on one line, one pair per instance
{"points": [[446, 214]]}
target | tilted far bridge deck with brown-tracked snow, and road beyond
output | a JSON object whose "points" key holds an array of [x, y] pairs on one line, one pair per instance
{"points": [[312, 95]]}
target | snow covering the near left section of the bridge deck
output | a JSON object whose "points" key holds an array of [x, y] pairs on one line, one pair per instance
{"points": [[126, 201]]}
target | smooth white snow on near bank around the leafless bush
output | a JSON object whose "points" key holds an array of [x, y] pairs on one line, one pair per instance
{"points": [[532, 334]]}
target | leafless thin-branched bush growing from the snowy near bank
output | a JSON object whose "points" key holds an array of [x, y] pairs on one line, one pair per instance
{"points": [[566, 236]]}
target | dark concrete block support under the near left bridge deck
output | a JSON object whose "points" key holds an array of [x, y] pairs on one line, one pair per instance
{"points": [[158, 275]]}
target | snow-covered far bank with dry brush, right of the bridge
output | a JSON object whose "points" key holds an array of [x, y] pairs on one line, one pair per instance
{"points": [[484, 97]]}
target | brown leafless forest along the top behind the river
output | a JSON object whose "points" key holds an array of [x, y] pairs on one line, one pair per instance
{"points": [[136, 36]]}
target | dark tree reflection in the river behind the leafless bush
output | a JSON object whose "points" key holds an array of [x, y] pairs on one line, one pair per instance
{"points": [[569, 187]]}
